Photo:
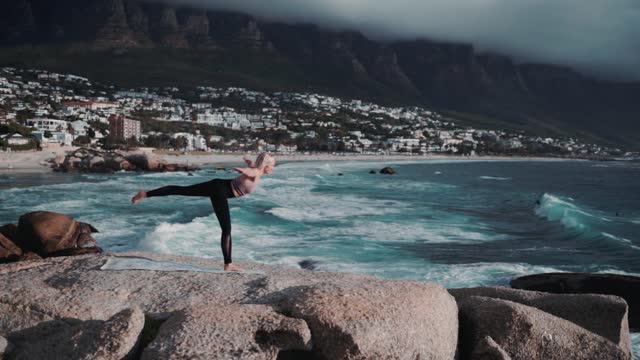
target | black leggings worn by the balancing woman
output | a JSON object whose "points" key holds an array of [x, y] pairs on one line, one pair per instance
{"points": [[218, 190]]}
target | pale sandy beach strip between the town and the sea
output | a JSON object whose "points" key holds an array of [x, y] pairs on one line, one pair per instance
{"points": [[35, 161]]}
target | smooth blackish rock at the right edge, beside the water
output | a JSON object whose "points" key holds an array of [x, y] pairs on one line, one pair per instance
{"points": [[625, 286]]}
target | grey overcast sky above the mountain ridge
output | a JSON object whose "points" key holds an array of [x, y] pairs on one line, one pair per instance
{"points": [[596, 36]]}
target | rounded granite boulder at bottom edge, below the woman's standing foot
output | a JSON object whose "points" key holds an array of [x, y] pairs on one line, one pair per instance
{"points": [[228, 332]]}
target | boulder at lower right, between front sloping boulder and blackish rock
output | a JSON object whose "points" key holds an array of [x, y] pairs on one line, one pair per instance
{"points": [[605, 315]]}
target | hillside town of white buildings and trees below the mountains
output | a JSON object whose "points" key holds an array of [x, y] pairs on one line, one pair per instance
{"points": [[40, 108]]}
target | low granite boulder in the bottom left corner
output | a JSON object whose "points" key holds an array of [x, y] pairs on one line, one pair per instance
{"points": [[115, 338]]}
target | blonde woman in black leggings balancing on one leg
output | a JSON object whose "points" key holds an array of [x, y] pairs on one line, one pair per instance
{"points": [[219, 190]]}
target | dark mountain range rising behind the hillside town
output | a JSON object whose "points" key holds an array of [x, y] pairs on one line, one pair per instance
{"points": [[136, 43]]}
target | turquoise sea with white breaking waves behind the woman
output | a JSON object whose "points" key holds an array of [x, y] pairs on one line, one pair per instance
{"points": [[458, 223]]}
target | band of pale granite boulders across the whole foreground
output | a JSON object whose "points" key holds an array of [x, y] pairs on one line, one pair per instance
{"points": [[51, 306]]}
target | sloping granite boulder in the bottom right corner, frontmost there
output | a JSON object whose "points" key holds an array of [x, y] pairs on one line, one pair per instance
{"points": [[524, 332]]}
